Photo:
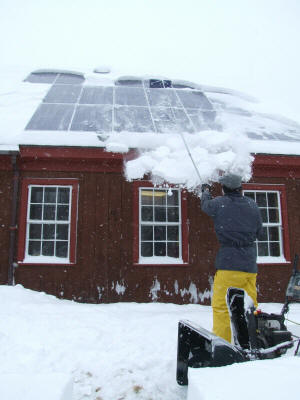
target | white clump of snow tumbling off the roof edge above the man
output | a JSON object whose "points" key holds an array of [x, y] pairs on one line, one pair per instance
{"points": [[213, 153]]}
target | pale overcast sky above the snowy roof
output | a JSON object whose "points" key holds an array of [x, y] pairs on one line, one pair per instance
{"points": [[247, 45]]}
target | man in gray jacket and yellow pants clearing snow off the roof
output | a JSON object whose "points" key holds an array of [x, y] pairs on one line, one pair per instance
{"points": [[237, 223]]}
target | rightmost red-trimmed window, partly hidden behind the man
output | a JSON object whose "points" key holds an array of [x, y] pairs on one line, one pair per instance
{"points": [[273, 245]]}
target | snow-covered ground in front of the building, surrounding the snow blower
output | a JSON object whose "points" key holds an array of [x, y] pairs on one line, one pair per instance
{"points": [[121, 351]]}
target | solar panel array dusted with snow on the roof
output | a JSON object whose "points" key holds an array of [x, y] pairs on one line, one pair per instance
{"points": [[132, 104]]}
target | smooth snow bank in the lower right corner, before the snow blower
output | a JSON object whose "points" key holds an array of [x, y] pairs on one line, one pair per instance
{"points": [[265, 379]]}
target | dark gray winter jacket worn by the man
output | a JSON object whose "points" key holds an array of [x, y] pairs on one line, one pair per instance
{"points": [[238, 223]]}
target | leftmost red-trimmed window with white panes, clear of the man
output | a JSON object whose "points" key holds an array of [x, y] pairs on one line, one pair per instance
{"points": [[48, 221]]}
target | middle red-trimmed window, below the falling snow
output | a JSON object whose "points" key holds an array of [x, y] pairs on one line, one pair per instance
{"points": [[161, 226]]}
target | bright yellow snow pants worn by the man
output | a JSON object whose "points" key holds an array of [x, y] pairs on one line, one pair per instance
{"points": [[222, 281]]}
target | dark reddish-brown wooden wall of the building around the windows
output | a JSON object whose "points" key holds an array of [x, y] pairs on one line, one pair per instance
{"points": [[104, 262]]}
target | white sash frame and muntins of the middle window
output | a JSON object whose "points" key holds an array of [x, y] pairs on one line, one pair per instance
{"points": [[160, 259]]}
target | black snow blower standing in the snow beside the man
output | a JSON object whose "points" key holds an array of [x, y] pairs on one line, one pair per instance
{"points": [[256, 335]]}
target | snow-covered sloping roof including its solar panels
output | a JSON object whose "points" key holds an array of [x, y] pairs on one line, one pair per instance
{"points": [[93, 105]]}
